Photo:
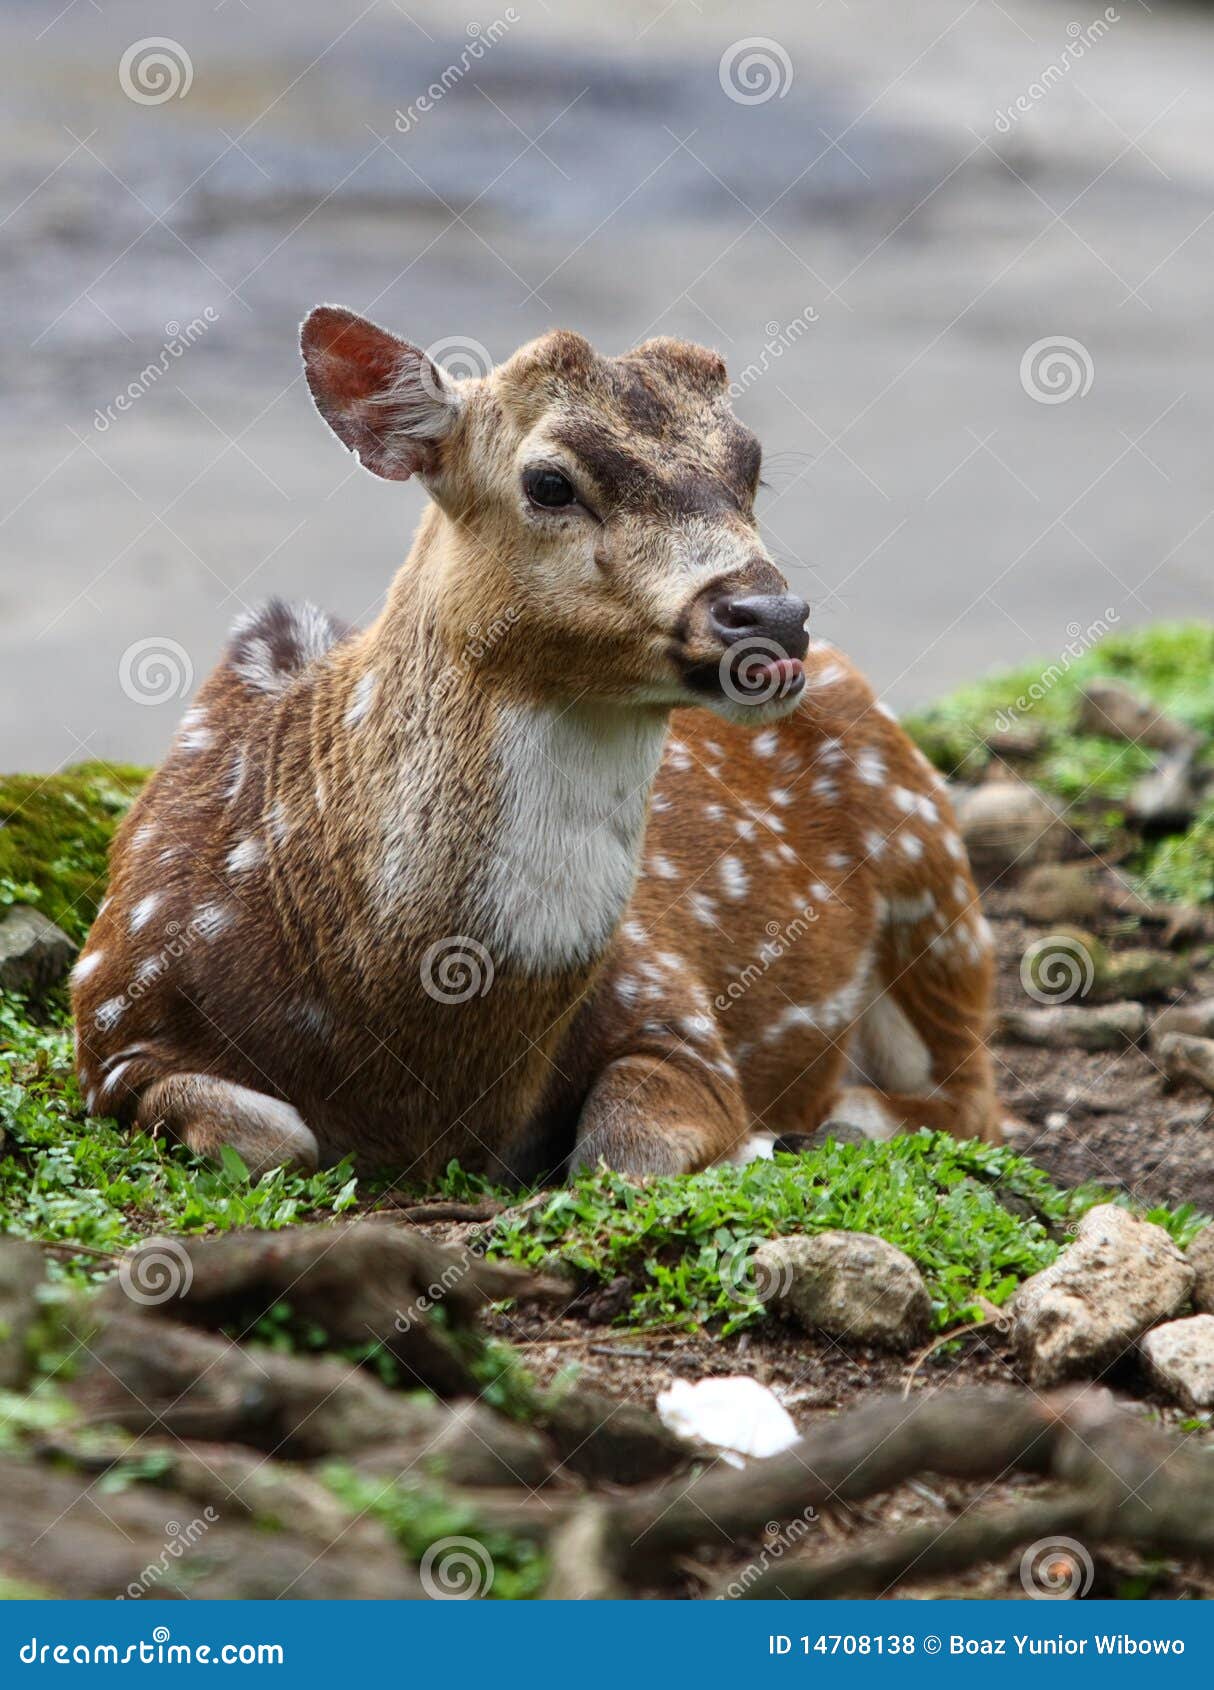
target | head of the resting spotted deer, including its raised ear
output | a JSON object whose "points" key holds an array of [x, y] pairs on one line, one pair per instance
{"points": [[599, 510]]}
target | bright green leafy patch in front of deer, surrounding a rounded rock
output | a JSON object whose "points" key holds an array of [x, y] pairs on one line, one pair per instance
{"points": [[687, 1241]]}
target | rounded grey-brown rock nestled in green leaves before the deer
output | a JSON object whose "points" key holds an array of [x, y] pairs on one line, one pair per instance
{"points": [[850, 1285]]}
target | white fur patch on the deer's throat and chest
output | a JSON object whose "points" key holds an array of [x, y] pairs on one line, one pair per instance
{"points": [[576, 785]]}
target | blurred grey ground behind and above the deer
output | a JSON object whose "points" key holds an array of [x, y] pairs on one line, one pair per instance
{"points": [[872, 210]]}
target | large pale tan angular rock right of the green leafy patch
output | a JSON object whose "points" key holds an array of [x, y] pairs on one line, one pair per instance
{"points": [[1085, 1311]]}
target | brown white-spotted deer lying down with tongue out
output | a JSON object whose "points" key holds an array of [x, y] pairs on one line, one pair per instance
{"points": [[579, 853]]}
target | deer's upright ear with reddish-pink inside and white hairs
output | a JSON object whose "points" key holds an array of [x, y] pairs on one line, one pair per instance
{"points": [[381, 396]]}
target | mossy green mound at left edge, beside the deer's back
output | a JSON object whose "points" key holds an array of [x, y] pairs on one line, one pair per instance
{"points": [[55, 836]]}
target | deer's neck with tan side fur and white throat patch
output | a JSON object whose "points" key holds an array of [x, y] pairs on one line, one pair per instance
{"points": [[500, 815]]}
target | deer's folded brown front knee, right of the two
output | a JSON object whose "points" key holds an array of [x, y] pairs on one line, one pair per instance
{"points": [[660, 1115]]}
